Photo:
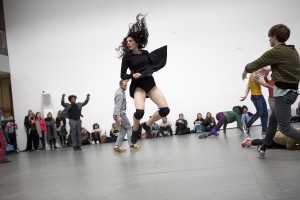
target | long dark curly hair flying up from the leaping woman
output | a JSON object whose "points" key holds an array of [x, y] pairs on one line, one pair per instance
{"points": [[138, 32]]}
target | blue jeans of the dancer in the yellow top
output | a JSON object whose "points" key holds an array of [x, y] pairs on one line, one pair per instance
{"points": [[261, 112]]}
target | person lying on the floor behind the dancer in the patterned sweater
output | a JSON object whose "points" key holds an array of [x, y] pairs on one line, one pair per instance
{"points": [[279, 141]]}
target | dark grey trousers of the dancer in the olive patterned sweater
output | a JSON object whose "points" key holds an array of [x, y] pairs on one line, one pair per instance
{"points": [[281, 118]]}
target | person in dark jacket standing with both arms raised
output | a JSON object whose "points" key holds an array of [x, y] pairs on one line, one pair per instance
{"points": [[73, 112]]}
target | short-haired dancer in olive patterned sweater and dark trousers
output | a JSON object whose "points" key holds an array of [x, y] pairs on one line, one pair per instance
{"points": [[285, 66]]}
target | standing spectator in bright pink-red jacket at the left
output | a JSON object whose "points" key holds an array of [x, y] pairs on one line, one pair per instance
{"points": [[41, 128]]}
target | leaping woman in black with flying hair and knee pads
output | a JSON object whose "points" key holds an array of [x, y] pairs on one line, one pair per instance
{"points": [[142, 65]]}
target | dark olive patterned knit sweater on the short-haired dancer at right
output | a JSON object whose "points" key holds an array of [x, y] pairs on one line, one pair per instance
{"points": [[284, 61]]}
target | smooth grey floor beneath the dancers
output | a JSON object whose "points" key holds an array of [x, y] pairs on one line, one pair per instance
{"points": [[178, 167]]}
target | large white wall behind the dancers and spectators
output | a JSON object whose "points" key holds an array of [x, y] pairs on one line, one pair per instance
{"points": [[65, 46]]}
